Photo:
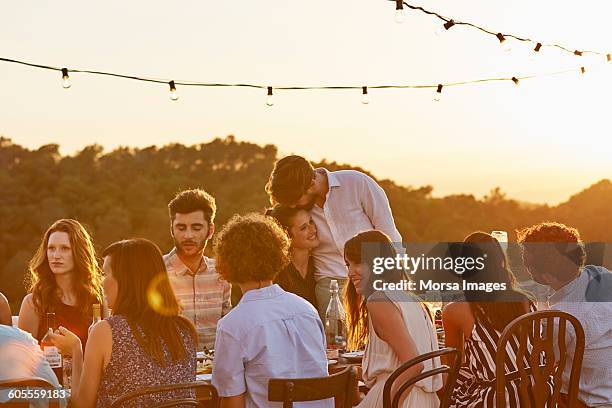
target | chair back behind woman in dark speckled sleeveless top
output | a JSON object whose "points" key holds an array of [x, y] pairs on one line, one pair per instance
{"points": [[204, 392]]}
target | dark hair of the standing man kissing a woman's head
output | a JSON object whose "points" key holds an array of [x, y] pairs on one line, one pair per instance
{"points": [[289, 180]]}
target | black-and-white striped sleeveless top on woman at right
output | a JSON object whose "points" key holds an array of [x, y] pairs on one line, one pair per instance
{"points": [[475, 385]]}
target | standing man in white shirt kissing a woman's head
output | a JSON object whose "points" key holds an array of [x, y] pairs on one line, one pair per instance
{"points": [[341, 203]]}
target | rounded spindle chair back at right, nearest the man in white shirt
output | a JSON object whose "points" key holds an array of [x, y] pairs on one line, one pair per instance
{"points": [[537, 367]]}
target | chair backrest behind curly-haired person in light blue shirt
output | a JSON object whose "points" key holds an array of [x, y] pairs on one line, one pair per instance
{"points": [[290, 390]]}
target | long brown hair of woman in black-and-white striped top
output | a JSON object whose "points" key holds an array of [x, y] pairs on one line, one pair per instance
{"points": [[500, 309]]}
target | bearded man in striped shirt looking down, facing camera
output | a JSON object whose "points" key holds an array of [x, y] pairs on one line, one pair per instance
{"points": [[204, 297]]}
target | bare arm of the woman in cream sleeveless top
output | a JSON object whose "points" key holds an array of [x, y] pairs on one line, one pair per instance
{"points": [[390, 327]]}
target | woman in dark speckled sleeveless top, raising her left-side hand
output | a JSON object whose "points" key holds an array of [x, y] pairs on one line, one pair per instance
{"points": [[144, 343]]}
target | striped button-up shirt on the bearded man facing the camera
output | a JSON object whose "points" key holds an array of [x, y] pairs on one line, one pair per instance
{"points": [[203, 296]]}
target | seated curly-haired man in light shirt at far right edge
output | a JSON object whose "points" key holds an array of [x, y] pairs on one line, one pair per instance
{"points": [[554, 255]]}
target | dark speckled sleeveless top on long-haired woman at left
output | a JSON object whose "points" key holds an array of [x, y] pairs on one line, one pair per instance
{"points": [[130, 368]]}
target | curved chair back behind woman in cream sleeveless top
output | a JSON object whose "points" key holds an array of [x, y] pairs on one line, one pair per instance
{"points": [[452, 371]]}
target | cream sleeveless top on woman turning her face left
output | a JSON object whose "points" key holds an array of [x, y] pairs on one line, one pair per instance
{"points": [[379, 360]]}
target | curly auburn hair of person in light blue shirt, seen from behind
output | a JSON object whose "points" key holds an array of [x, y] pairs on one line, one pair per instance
{"points": [[252, 247]]}
